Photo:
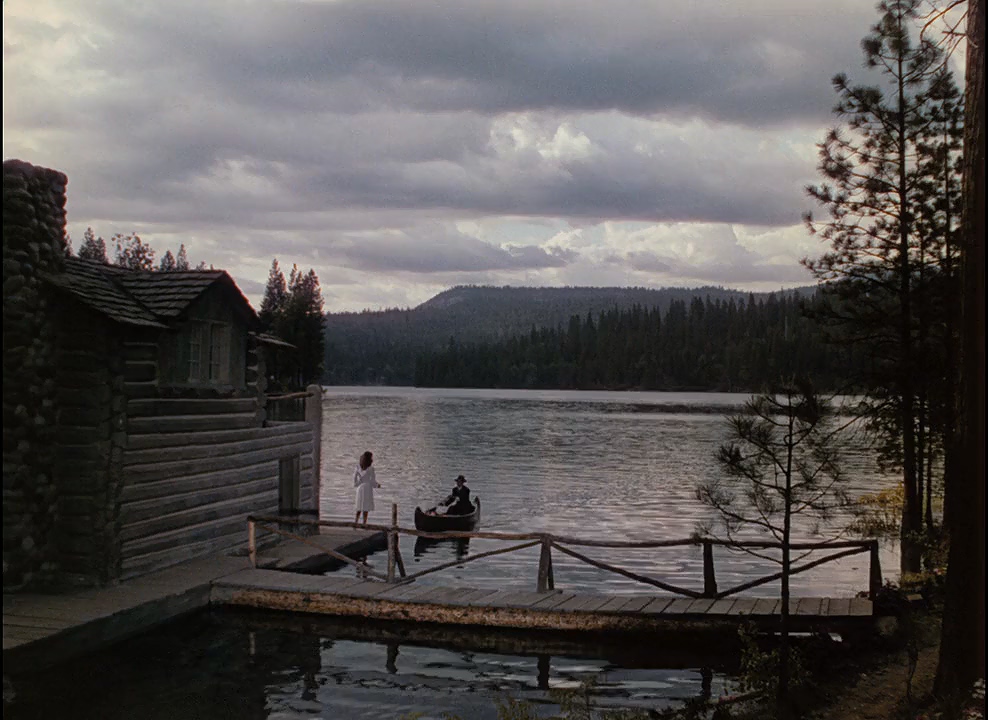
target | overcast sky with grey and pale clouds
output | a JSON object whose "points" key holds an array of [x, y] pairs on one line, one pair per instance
{"points": [[402, 147]]}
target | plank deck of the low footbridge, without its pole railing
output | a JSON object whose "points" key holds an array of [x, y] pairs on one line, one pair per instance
{"points": [[519, 609]]}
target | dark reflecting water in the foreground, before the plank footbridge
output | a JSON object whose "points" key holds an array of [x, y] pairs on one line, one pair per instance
{"points": [[265, 665]]}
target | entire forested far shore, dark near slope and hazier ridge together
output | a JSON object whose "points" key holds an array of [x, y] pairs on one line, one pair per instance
{"points": [[669, 339]]}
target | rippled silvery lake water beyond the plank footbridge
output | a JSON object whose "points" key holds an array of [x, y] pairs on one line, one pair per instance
{"points": [[596, 465]]}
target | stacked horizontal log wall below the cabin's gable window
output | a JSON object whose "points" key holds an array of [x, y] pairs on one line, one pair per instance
{"points": [[193, 469]]}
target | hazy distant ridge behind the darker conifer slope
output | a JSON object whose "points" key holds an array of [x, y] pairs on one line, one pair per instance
{"points": [[379, 347]]}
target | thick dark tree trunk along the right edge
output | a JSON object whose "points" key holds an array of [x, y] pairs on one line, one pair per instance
{"points": [[962, 646]]}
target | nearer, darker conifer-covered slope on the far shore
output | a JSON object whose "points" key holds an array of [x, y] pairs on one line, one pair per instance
{"points": [[701, 345]]}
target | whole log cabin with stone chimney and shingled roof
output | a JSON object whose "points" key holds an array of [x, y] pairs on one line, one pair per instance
{"points": [[136, 433]]}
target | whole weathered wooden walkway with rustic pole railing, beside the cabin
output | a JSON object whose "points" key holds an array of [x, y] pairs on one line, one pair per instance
{"points": [[44, 629]]}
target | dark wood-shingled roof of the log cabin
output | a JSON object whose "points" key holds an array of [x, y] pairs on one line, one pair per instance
{"points": [[136, 297]]}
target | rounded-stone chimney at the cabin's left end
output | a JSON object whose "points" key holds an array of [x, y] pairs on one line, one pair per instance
{"points": [[34, 244]]}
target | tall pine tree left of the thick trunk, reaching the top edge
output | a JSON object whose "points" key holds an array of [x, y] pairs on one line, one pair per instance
{"points": [[872, 192]]}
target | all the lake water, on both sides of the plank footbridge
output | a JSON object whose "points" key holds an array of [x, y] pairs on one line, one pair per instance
{"points": [[583, 464]]}
